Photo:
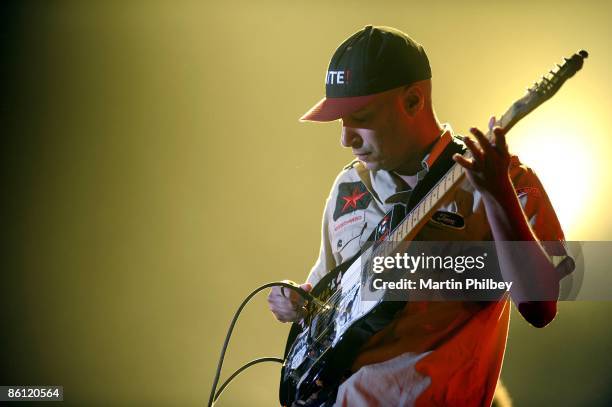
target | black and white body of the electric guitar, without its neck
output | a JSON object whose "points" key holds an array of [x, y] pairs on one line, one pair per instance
{"points": [[319, 353]]}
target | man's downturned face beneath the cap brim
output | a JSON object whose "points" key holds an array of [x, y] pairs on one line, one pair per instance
{"points": [[381, 135]]}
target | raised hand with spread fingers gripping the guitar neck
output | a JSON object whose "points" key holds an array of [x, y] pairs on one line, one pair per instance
{"points": [[487, 170]]}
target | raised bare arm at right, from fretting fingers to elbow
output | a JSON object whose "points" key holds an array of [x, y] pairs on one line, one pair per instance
{"points": [[531, 270]]}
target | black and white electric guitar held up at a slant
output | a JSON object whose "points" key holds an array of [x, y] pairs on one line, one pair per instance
{"points": [[321, 348]]}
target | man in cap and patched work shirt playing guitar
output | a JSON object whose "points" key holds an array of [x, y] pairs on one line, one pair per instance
{"points": [[438, 353]]}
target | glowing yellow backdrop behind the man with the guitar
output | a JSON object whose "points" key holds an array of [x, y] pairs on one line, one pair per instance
{"points": [[167, 176]]}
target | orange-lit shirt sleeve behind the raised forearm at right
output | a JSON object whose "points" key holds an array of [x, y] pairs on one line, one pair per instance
{"points": [[541, 216]]}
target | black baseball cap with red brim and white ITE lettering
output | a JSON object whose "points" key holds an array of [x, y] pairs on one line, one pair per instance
{"points": [[371, 61]]}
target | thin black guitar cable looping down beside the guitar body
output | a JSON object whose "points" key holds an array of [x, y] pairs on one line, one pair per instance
{"points": [[214, 394]]}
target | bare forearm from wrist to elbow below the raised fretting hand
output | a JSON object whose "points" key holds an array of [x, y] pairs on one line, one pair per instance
{"points": [[535, 285]]}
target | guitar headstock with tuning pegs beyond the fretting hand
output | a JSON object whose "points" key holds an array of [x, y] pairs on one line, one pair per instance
{"points": [[544, 89]]}
